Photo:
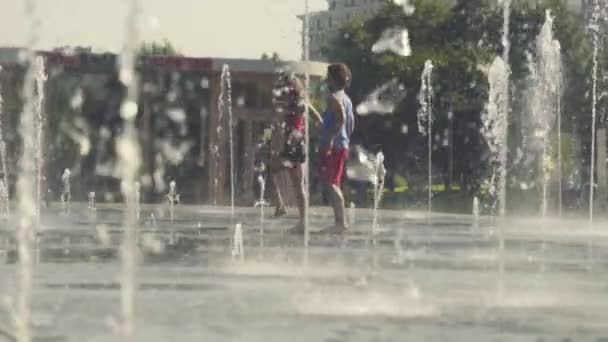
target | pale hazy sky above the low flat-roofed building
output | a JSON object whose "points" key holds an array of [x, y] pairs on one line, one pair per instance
{"points": [[200, 28]]}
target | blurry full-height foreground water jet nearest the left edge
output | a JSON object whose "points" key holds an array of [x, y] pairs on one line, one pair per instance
{"points": [[26, 197]]}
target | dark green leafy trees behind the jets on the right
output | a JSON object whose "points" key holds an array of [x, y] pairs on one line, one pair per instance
{"points": [[461, 40]]}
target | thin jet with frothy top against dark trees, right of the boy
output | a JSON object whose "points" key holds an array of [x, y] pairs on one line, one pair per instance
{"points": [[425, 122]]}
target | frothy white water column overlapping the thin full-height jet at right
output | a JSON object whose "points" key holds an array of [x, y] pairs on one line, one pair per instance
{"points": [[493, 130]]}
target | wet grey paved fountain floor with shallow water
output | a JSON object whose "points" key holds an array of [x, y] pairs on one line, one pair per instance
{"points": [[440, 280]]}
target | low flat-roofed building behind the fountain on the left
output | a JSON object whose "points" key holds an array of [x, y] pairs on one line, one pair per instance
{"points": [[182, 132]]}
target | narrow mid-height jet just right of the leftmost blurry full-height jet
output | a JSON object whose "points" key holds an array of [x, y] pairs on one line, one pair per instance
{"points": [[41, 78]]}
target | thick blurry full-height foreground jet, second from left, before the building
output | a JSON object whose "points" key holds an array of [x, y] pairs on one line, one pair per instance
{"points": [[129, 161]]}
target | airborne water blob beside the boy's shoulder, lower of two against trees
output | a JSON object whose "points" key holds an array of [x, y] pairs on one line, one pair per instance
{"points": [[382, 100]]}
